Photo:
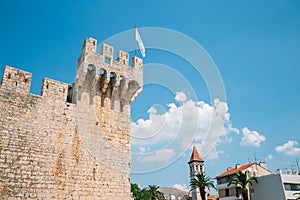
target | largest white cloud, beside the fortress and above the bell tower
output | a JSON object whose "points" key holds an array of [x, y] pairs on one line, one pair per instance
{"points": [[179, 126]]}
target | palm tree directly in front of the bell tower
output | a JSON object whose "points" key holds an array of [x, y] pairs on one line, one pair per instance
{"points": [[202, 182]]}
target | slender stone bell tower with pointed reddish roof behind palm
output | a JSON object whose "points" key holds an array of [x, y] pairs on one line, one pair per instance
{"points": [[196, 164]]}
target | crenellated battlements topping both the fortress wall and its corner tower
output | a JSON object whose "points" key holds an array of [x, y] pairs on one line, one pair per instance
{"points": [[96, 75]]}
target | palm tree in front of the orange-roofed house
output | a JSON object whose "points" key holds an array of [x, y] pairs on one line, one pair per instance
{"points": [[241, 179]]}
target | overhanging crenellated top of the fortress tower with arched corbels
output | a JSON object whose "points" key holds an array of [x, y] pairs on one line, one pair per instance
{"points": [[100, 75]]}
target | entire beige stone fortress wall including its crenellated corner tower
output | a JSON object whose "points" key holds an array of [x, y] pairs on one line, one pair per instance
{"points": [[72, 141]]}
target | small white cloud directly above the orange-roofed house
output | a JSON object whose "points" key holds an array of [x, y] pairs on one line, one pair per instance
{"points": [[251, 138]]}
